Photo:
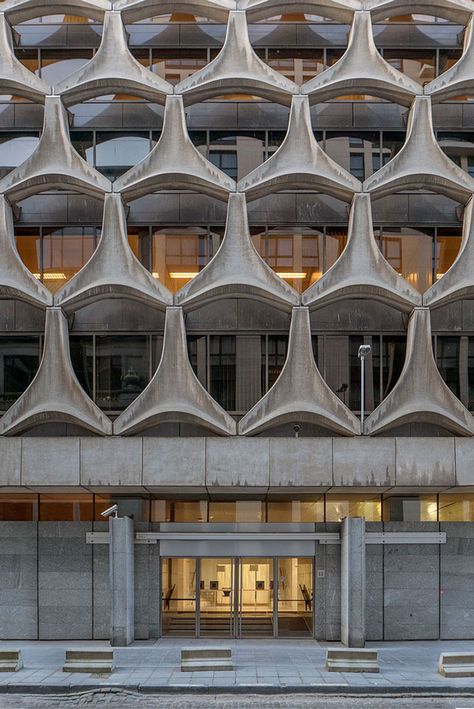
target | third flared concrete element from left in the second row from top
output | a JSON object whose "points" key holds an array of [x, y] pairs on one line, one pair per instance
{"points": [[300, 163]]}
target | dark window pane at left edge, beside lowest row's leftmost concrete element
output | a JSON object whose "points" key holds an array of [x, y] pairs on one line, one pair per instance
{"points": [[19, 361]]}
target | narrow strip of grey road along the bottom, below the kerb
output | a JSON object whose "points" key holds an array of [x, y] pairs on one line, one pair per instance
{"points": [[125, 699]]}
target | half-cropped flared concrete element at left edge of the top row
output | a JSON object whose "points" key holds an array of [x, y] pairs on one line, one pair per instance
{"points": [[14, 77]]}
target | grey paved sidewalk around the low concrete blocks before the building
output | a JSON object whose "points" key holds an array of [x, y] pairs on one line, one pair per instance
{"points": [[261, 666]]}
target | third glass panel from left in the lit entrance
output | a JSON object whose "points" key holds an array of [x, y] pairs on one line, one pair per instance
{"points": [[255, 607]]}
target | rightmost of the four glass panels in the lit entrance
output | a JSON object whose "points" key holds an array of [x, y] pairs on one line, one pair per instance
{"points": [[295, 597]]}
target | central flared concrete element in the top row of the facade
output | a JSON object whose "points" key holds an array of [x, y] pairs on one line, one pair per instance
{"points": [[237, 69]]}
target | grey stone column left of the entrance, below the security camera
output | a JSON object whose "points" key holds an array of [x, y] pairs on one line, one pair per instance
{"points": [[122, 559]]}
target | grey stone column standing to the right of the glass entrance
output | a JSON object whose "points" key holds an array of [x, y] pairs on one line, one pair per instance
{"points": [[353, 581]]}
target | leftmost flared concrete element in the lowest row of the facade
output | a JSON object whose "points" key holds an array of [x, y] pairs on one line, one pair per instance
{"points": [[55, 394]]}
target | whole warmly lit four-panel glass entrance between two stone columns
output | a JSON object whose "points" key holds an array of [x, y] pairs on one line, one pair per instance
{"points": [[237, 597]]}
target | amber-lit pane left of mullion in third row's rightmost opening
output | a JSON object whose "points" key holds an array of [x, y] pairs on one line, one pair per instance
{"points": [[410, 253]]}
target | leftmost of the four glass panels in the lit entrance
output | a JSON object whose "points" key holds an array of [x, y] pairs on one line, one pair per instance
{"points": [[178, 583]]}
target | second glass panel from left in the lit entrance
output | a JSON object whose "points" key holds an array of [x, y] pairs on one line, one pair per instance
{"points": [[216, 595]]}
